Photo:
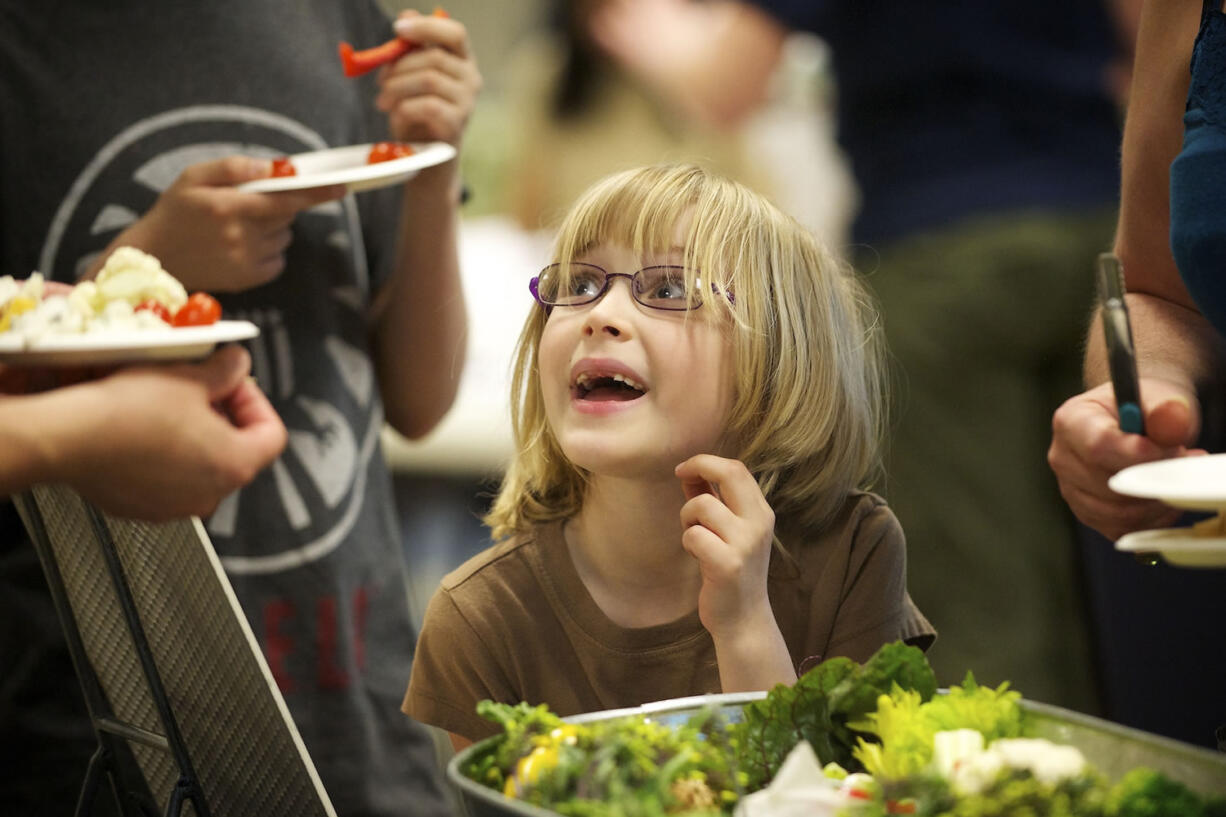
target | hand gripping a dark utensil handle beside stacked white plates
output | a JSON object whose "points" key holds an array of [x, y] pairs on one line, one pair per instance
{"points": [[1088, 448]]}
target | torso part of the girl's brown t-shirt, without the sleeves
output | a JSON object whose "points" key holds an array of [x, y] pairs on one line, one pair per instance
{"points": [[572, 656]]}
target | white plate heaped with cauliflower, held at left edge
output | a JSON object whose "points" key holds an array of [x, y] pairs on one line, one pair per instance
{"points": [[107, 348]]}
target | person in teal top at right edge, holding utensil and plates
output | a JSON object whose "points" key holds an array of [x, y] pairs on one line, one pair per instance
{"points": [[1163, 639]]}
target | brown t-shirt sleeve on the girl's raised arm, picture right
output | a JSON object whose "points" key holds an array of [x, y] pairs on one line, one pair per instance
{"points": [[876, 607]]}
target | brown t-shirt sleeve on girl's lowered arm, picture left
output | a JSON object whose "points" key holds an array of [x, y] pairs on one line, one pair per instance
{"points": [[453, 670]]}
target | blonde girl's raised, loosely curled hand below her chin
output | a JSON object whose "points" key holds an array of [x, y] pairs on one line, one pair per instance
{"points": [[729, 528]]}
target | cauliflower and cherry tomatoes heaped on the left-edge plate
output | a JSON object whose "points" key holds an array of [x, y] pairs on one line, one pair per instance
{"points": [[132, 293]]}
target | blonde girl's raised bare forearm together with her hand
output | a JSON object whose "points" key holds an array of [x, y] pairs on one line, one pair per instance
{"points": [[729, 528]]}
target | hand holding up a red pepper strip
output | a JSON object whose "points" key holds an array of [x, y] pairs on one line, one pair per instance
{"points": [[430, 94]]}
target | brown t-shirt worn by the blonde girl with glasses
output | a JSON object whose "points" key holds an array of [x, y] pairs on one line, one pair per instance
{"points": [[517, 624]]}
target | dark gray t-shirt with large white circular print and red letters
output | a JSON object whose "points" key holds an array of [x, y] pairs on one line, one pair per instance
{"points": [[104, 107]]}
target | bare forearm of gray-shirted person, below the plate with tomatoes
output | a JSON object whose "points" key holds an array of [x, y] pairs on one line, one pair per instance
{"points": [[421, 320]]}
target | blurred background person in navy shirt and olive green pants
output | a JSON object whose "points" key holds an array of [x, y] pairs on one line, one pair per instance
{"points": [[984, 140]]}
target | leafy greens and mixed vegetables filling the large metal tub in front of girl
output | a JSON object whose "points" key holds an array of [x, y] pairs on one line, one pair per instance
{"points": [[844, 742]]}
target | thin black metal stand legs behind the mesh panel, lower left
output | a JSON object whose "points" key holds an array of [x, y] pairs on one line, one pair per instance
{"points": [[115, 760]]}
